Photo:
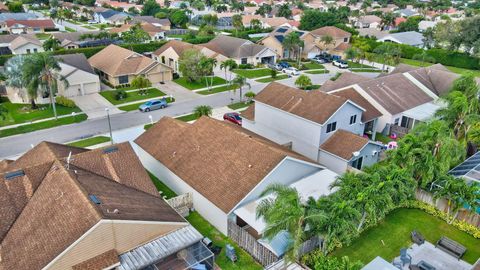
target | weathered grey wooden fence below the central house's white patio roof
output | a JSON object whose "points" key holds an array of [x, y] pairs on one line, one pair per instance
{"points": [[260, 253]]}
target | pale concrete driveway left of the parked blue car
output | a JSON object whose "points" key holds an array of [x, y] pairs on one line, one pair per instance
{"points": [[94, 105]]}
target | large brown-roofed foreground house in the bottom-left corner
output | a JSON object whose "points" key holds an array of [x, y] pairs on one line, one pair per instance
{"points": [[66, 207]]}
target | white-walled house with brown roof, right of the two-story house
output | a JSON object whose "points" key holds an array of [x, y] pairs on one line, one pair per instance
{"points": [[406, 96]]}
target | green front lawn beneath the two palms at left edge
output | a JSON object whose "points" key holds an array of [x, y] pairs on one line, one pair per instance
{"points": [[21, 113]]}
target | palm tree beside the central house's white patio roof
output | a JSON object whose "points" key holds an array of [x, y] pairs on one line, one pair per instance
{"points": [[285, 211]]}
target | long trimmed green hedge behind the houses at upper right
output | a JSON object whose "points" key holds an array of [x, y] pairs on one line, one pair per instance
{"points": [[442, 56]]}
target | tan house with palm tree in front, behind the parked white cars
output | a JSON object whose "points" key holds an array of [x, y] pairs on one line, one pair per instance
{"points": [[274, 41]]}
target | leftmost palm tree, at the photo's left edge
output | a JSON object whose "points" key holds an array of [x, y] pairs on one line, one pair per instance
{"points": [[14, 78]]}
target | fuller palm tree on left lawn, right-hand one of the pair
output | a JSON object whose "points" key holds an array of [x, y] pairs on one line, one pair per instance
{"points": [[41, 70]]}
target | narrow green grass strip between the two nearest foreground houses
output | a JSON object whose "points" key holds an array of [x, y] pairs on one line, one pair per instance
{"points": [[244, 262]]}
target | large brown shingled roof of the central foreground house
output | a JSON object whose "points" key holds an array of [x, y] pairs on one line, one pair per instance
{"points": [[213, 157]]}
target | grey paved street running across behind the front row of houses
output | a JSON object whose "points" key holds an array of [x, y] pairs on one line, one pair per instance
{"points": [[14, 145]]}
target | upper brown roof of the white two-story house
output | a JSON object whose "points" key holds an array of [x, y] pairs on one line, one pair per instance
{"points": [[315, 106]]}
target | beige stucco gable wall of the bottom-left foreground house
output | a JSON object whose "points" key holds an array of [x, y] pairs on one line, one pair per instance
{"points": [[119, 235]]}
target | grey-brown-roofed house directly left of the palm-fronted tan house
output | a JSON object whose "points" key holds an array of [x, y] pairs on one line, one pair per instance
{"points": [[241, 50]]}
